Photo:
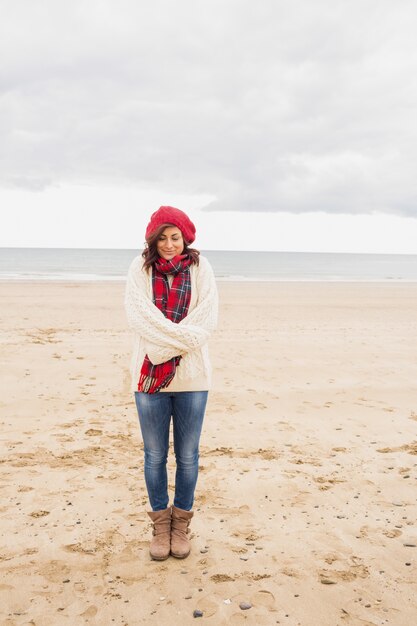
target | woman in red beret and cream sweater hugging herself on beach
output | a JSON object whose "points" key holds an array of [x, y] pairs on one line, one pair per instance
{"points": [[171, 305]]}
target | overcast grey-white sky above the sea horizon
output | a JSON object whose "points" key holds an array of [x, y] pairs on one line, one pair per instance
{"points": [[292, 123]]}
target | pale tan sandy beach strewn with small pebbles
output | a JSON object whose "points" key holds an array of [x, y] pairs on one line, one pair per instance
{"points": [[306, 501]]}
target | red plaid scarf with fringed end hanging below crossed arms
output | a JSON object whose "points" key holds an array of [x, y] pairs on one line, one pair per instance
{"points": [[174, 303]]}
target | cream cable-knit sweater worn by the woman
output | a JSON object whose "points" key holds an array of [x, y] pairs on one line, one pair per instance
{"points": [[161, 339]]}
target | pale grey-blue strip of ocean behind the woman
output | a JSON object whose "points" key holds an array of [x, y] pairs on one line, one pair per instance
{"points": [[72, 264]]}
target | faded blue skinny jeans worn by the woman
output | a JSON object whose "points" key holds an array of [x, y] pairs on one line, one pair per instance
{"points": [[155, 411]]}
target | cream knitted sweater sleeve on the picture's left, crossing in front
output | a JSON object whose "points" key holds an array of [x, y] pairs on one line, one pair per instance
{"points": [[151, 324]]}
